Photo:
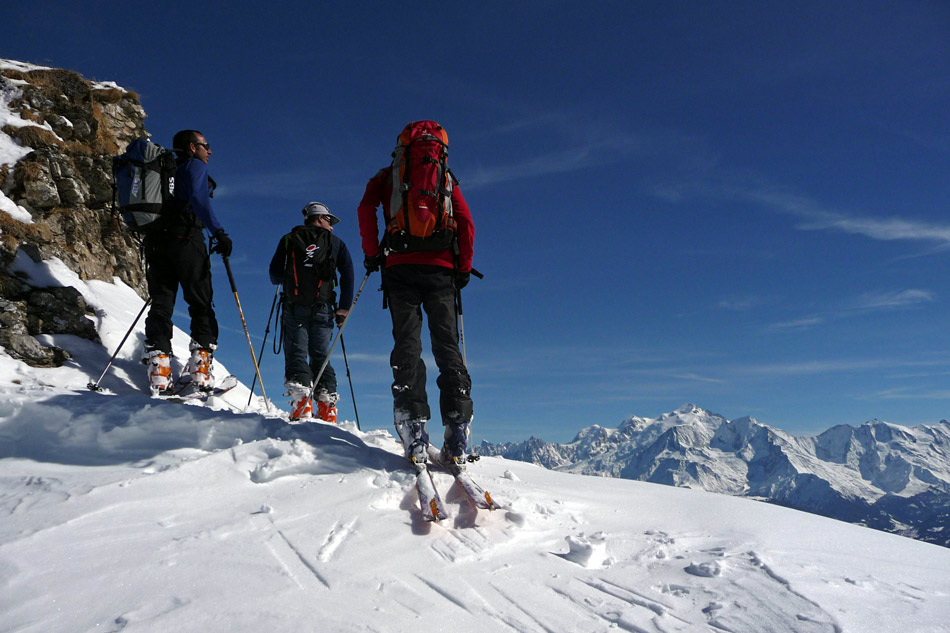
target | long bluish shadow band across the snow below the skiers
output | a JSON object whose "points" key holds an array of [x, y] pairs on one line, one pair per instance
{"points": [[91, 429]]}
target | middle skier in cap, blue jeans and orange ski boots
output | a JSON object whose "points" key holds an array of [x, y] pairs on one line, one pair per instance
{"points": [[307, 262]]}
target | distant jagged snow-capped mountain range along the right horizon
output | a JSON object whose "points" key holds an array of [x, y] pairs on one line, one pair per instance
{"points": [[881, 475]]}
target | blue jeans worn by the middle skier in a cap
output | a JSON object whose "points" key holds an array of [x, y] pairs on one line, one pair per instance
{"points": [[307, 332]]}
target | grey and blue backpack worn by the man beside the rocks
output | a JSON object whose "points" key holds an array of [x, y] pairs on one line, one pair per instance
{"points": [[144, 185]]}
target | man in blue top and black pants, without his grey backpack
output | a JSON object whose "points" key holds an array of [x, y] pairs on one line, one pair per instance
{"points": [[176, 255]]}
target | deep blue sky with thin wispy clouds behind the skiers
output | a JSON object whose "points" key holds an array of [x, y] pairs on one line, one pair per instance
{"points": [[741, 205]]}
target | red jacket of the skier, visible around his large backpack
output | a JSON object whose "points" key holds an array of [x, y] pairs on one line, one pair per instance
{"points": [[379, 192]]}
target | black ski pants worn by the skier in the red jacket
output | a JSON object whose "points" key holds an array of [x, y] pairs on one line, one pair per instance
{"points": [[412, 288]]}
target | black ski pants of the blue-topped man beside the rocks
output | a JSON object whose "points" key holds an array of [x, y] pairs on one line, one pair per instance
{"points": [[173, 259]]}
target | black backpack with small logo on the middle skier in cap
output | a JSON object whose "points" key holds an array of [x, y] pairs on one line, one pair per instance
{"points": [[310, 266]]}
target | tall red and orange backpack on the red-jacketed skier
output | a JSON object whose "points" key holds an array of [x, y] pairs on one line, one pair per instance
{"points": [[420, 210]]}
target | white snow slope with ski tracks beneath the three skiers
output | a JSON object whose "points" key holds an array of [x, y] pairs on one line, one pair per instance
{"points": [[126, 513]]}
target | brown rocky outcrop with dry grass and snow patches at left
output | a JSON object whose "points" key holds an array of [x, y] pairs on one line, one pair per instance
{"points": [[60, 131]]}
